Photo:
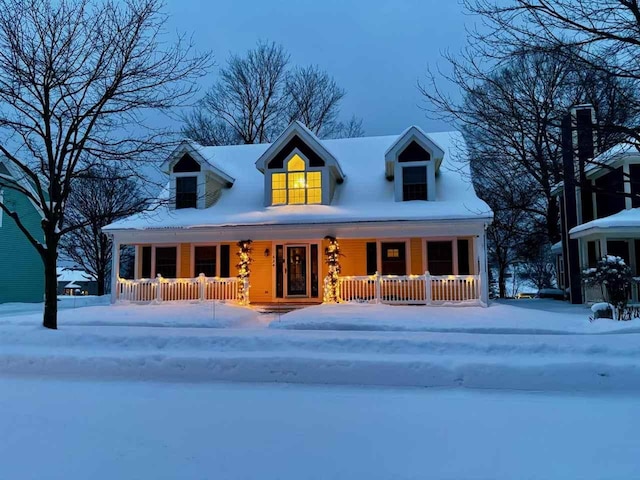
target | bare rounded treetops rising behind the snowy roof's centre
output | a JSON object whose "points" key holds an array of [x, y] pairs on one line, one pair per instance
{"points": [[257, 96]]}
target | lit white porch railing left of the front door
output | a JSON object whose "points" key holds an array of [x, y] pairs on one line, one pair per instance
{"points": [[176, 289]]}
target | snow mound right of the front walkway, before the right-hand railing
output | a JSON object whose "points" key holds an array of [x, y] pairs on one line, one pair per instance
{"points": [[533, 316]]}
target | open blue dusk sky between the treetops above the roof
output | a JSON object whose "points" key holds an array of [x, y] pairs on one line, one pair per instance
{"points": [[376, 50]]}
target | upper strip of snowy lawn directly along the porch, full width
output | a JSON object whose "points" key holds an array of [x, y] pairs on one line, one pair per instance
{"points": [[536, 316]]}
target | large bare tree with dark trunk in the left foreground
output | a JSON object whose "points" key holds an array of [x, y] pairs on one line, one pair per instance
{"points": [[76, 77]]}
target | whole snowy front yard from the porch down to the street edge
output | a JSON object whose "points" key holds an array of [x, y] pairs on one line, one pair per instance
{"points": [[521, 345]]}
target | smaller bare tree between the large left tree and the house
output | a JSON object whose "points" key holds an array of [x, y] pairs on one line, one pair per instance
{"points": [[98, 198]]}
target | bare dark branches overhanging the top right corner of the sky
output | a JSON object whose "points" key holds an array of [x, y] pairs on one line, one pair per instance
{"points": [[603, 34]]}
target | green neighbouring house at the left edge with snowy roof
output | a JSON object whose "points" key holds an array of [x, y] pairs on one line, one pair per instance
{"points": [[21, 267]]}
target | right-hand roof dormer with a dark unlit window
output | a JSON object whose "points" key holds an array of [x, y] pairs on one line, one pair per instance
{"points": [[412, 163]]}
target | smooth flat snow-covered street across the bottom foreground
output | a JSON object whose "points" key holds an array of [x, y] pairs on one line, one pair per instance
{"points": [[76, 430]]}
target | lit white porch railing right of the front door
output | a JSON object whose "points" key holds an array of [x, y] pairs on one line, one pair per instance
{"points": [[410, 289]]}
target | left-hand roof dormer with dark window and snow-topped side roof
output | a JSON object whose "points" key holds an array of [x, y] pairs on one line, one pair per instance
{"points": [[194, 181]]}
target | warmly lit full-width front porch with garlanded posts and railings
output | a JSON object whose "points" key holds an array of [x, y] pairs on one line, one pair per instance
{"points": [[416, 270]]}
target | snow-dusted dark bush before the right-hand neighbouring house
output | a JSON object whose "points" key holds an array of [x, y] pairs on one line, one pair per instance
{"points": [[614, 278]]}
